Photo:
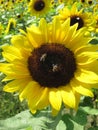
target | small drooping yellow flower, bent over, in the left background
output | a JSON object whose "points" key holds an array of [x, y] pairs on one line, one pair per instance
{"points": [[11, 25]]}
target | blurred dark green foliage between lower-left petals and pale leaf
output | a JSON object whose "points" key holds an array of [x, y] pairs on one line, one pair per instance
{"points": [[9, 103]]}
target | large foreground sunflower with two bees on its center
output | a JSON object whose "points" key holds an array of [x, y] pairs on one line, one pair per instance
{"points": [[50, 64]]}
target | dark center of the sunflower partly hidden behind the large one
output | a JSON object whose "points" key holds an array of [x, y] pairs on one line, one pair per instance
{"points": [[77, 19]]}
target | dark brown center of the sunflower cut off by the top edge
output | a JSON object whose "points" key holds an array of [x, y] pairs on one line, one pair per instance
{"points": [[39, 5]]}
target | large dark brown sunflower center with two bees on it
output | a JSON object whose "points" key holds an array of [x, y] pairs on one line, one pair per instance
{"points": [[52, 65]]}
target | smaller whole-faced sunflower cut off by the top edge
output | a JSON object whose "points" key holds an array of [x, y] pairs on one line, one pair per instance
{"points": [[39, 7]]}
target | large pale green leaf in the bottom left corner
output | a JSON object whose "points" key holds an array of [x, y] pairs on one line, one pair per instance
{"points": [[24, 121]]}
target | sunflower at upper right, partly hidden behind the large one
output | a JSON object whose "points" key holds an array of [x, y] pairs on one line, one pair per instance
{"points": [[84, 19]]}
